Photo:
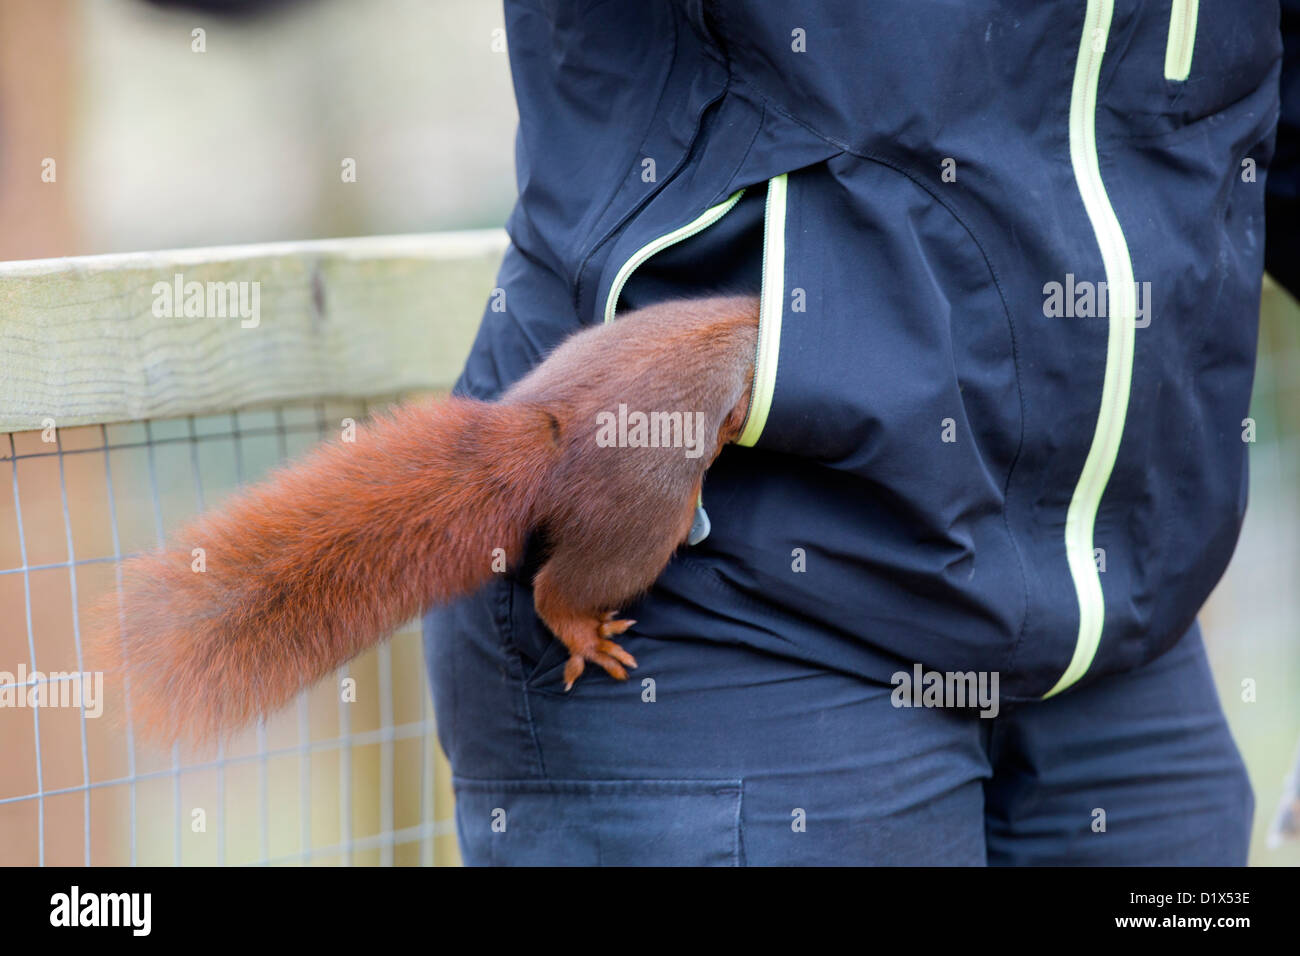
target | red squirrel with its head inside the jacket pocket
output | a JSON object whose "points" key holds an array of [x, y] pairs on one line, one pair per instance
{"points": [[330, 556]]}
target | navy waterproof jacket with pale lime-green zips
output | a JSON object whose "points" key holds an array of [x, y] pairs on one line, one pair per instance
{"points": [[1009, 256]]}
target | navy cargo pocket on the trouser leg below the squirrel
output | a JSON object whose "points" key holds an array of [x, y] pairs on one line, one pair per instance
{"points": [[599, 823]]}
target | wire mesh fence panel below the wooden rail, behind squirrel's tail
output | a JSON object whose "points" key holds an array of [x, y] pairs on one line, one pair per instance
{"points": [[349, 775]]}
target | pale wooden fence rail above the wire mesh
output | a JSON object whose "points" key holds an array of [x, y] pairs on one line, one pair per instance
{"points": [[97, 340]]}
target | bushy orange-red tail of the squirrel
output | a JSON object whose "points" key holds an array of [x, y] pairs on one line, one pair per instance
{"points": [[294, 577]]}
